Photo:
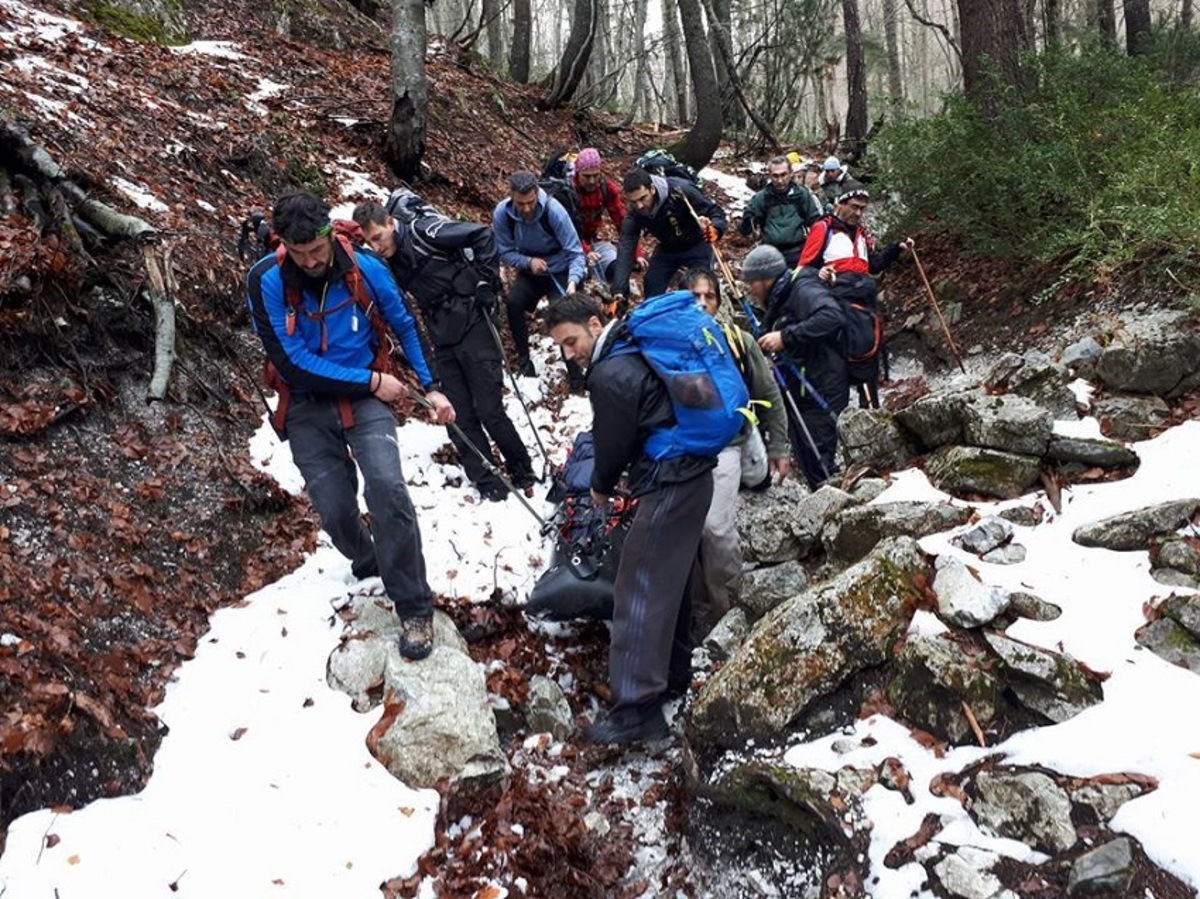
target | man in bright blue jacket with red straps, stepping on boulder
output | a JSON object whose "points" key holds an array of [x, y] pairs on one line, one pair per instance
{"points": [[321, 341]]}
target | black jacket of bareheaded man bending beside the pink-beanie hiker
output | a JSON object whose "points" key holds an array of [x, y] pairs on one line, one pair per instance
{"points": [[671, 224]]}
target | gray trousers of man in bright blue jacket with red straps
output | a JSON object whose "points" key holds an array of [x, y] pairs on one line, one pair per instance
{"points": [[322, 451]]}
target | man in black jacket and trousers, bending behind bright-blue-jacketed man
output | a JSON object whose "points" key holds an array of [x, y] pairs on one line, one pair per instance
{"points": [[452, 269]]}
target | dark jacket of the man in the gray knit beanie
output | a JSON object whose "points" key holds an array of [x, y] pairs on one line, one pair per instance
{"points": [[813, 327]]}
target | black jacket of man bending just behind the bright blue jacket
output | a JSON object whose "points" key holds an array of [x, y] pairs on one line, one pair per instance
{"points": [[452, 269]]}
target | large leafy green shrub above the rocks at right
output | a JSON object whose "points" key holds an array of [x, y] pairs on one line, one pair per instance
{"points": [[1095, 167]]}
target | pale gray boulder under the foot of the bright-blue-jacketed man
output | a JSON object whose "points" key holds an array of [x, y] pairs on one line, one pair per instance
{"points": [[437, 722]]}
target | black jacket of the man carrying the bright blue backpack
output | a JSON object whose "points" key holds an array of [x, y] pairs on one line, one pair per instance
{"points": [[629, 401]]}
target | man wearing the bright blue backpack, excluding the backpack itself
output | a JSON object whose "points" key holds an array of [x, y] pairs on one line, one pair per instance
{"points": [[650, 660]]}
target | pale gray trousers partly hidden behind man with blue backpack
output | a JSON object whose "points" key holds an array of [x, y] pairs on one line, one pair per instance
{"points": [[718, 573]]}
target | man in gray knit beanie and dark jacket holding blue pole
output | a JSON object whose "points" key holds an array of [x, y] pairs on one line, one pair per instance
{"points": [[803, 327]]}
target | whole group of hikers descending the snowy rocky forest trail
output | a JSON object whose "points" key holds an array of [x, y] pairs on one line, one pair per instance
{"points": [[325, 301]]}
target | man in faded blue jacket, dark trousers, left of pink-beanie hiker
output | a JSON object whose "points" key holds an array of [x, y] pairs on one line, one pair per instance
{"points": [[536, 237]]}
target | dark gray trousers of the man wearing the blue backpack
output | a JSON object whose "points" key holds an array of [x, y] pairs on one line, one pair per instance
{"points": [[652, 610]]}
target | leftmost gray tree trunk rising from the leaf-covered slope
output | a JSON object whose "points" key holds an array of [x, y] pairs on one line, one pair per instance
{"points": [[405, 145]]}
